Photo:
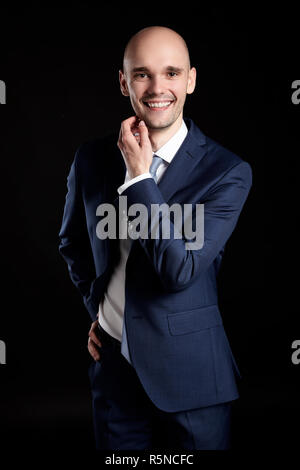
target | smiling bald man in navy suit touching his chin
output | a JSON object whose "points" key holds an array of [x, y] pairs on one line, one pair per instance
{"points": [[162, 358]]}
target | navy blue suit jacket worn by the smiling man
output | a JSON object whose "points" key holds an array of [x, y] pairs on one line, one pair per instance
{"points": [[176, 338]]}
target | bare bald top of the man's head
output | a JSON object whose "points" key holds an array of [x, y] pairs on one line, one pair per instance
{"points": [[155, 37]]}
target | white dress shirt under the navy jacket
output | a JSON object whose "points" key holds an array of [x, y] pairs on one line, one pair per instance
{"points": [[112, 305]]}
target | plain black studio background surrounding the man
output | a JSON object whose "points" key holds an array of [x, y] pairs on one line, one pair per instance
{"points": [[60, 66]]}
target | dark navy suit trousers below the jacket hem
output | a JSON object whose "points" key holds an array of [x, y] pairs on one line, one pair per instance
{"points": [[126, 419]]}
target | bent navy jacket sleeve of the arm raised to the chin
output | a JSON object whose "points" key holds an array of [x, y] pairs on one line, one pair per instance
{"points": [[176, 266]]}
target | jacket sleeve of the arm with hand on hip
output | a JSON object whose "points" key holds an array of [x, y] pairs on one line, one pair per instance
{"points": [[74, 244]]}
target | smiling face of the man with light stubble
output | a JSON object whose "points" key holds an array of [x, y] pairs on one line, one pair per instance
{"points": [[157, 78]]}
